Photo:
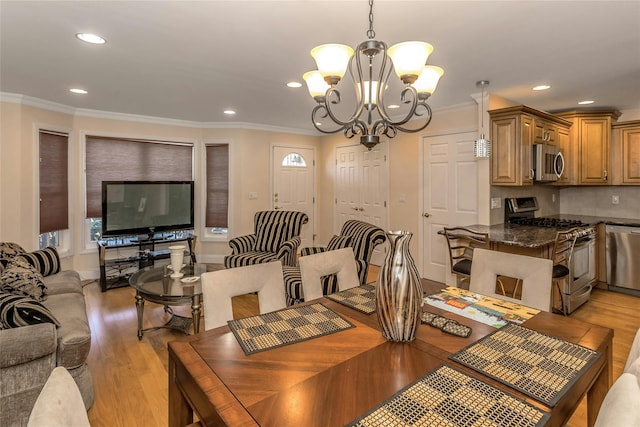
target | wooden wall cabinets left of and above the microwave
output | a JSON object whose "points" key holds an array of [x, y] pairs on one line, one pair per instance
{"points": [[514, 130]]}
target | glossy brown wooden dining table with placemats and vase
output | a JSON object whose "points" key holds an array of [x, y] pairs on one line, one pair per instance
{"points": [[333, 379]]}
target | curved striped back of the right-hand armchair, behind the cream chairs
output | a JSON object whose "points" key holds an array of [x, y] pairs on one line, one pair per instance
{"points": [[364, 239]]}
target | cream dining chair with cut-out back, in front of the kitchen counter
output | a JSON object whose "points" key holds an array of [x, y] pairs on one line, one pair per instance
{"points": [[534, 275]]}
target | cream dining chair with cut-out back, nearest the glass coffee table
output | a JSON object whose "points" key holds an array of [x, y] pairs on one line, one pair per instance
{"points": [[218, 287]]}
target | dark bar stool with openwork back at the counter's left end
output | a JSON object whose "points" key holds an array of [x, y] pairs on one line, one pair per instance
{"points": [[462, 242]]}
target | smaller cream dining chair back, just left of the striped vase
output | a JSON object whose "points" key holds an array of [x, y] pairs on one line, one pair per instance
{"points": [[313, 268]]}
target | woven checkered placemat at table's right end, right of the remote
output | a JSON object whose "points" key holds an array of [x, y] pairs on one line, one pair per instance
{"points": [[538, 365]]}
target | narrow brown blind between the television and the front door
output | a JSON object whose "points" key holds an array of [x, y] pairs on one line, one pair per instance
{"points": [[217, 185]]}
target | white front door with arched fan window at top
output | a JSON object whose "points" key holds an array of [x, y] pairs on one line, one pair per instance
{"points": [[293, 185]]}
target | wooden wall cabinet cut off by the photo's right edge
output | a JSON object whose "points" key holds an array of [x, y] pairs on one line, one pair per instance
{"points": [[625, 153]]}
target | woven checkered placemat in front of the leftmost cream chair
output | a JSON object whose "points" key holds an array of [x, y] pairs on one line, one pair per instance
{"points": [[279, 328]]}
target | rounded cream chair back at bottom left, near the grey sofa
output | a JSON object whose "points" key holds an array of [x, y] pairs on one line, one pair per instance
{"points": [[59, 404]]}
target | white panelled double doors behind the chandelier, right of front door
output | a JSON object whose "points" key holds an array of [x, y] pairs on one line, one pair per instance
{"points": [[362, 187]]}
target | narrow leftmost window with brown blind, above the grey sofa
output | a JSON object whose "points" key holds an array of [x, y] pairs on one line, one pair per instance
{"points": [[53, 187]]}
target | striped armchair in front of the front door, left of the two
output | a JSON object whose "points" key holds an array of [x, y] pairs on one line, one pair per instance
{"points": [[276, 237]]}
